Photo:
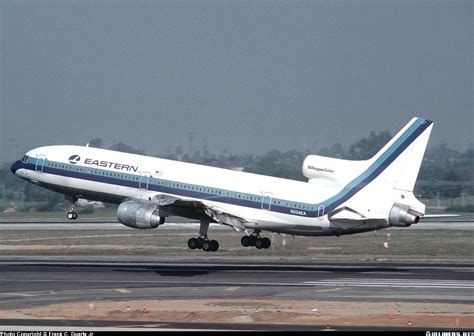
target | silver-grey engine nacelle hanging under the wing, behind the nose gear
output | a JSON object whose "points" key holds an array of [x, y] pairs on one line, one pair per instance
{"points": [[138, 216]]}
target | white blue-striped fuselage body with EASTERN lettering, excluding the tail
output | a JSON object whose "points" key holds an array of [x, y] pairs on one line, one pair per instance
{"points": [[268, 203]]}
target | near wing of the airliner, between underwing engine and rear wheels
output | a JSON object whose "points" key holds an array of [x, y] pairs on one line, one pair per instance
{"points": [[197, 209]]}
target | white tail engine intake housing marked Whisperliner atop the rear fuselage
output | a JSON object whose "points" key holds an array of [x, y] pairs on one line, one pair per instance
{"points": [[326, 170]]}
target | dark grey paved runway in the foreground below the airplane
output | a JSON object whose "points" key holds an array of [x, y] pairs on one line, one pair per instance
{"points": [[29, 284]]}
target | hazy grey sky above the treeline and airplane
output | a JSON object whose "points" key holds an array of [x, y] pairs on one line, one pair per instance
{"points": [[247, 76]]}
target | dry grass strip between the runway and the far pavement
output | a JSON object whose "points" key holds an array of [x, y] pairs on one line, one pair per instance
{"points": [[173, 242]]}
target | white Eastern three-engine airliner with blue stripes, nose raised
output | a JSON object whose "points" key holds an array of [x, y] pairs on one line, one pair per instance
{"points": [[340, 197]]}
